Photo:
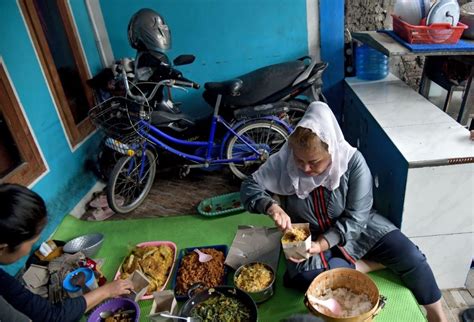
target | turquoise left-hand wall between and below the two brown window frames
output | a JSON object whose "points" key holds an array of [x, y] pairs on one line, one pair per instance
{"points": [[67, 180]]}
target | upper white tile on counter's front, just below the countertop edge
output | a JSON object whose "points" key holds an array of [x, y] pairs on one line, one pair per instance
{"points": [[439, 200]]}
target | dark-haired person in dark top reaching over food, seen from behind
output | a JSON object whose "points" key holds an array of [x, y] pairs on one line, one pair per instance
{"points": [[22, 218]]}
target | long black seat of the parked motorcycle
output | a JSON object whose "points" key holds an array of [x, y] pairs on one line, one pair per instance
{"points": [[256, 85]]}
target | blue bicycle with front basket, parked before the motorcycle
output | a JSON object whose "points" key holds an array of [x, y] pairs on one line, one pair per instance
{"points": [[245, 145]]}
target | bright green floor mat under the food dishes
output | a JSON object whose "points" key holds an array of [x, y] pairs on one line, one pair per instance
{"points": [[189, 231]]}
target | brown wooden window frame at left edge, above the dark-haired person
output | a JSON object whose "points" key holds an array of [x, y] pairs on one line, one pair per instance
{"points": [[33, 165]]}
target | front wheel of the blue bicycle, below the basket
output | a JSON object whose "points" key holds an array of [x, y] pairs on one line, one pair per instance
{"points": [[131, 181]]}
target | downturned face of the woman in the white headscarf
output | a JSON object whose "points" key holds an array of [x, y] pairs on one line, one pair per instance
{"points": [[312, 163]]}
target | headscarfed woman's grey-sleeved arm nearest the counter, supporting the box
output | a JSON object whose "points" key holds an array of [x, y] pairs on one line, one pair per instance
{"points": [[358, 205]]}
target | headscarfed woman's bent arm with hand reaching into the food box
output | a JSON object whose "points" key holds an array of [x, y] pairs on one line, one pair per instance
{"points": [[256, 199]]}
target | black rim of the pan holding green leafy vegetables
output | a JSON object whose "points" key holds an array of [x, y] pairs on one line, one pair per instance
{"points": [[200, 297]]}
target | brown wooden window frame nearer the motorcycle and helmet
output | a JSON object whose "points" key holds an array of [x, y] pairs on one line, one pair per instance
{"points": [[75, 132]]}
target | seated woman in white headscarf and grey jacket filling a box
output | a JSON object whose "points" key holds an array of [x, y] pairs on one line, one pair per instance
{"points": [[321, 180]]}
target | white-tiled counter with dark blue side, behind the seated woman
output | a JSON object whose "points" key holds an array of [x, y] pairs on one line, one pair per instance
{"points": [[422, 162]]}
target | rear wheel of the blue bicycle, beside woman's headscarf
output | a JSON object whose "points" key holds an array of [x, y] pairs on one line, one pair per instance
{"points": [[265, 136]]}
